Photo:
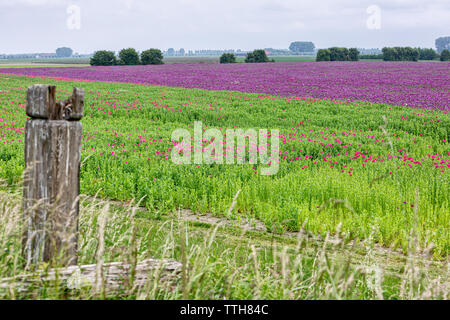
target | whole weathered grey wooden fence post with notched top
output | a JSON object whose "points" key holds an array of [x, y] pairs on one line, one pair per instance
{"points": [[52, 176]]}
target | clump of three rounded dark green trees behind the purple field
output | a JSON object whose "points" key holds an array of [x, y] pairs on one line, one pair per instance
{"points": [[127, 57]]}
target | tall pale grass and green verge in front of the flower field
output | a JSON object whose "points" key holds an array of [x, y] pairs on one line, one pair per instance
{"points": [[227, 263]]}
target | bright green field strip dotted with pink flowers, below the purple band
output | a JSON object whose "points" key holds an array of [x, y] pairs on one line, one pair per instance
{"points": [[342, 163]]}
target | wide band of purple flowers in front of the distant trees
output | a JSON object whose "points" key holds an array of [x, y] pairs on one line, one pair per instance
{"points": [[424, 84]]}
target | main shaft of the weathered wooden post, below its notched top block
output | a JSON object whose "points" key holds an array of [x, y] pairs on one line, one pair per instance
{"points": [[51, 190]]}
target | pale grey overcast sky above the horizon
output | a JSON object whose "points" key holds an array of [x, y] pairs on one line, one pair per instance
{"points": [[44, 25]]}
